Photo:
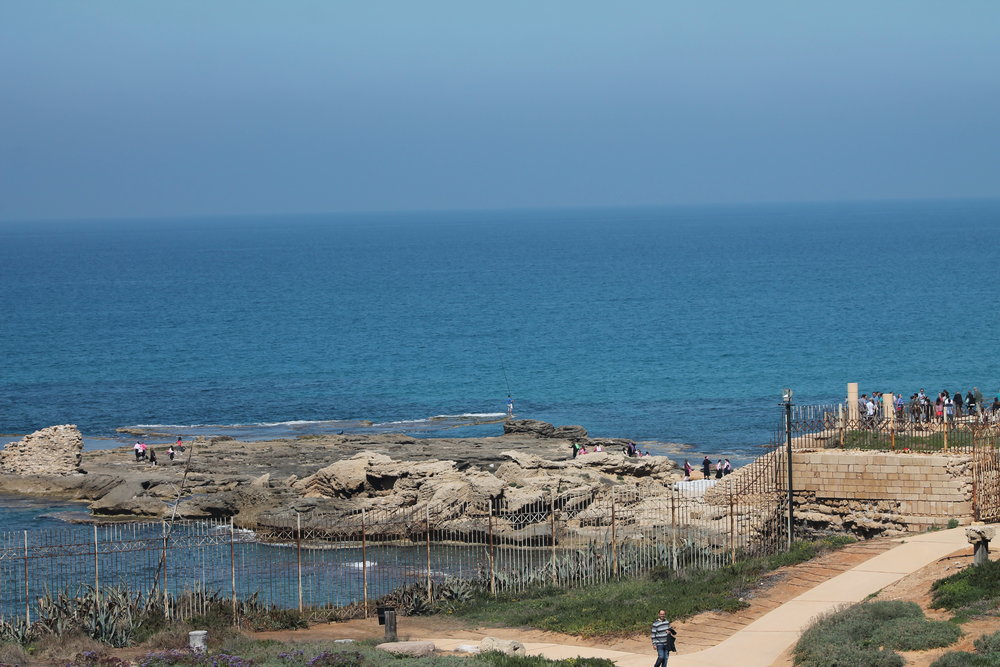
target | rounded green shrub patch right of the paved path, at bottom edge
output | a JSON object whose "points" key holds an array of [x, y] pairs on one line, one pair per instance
{"points": [[870, 633]]}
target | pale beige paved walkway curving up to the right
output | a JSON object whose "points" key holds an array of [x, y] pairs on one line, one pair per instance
{"points": [[760, 643]]}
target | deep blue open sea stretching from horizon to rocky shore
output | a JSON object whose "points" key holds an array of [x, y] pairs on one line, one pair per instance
{"points": [[662, 325]]}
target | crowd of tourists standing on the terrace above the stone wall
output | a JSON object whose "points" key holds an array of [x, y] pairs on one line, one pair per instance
{"points": [[921, 409]]}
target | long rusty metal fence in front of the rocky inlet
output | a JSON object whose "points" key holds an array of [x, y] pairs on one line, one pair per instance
{"points": [[309, 562]]}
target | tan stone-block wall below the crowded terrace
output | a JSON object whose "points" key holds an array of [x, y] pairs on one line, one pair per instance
{"points": [[881, 493]]}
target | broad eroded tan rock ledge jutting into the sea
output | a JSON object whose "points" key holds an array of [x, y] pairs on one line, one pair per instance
{"points": [[265, 483]]}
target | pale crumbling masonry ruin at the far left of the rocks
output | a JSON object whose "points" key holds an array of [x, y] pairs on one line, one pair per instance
{"points": [[56, 450]]}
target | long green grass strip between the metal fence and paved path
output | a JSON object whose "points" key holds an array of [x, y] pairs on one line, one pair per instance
{"points": [[626, 607]]}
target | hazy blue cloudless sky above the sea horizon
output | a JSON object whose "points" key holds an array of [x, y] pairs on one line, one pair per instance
{"points": [[155, 109]]}
